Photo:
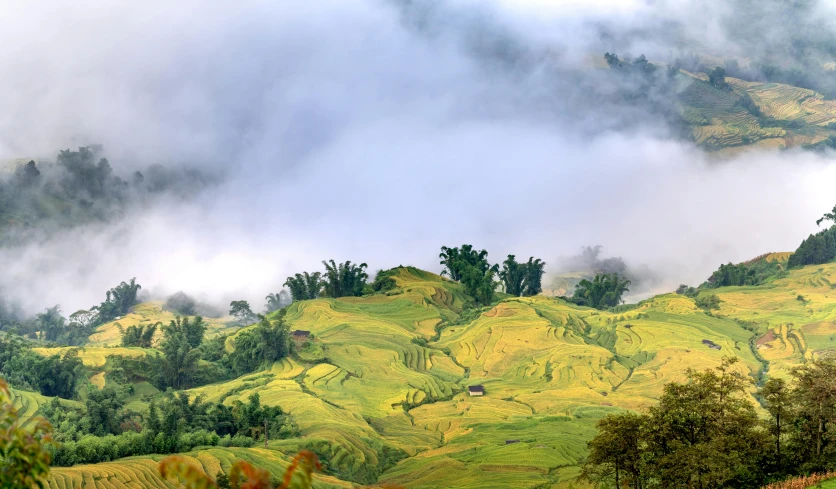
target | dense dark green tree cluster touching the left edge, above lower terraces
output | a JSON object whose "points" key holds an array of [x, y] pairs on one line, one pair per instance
{"points": [[55, 375]]}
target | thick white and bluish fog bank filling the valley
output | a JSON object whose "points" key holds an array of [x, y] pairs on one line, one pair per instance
{"points": [[375, 132]]}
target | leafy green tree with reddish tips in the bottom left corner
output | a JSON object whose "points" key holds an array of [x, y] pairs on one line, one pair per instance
{"points": [[24, 458]]}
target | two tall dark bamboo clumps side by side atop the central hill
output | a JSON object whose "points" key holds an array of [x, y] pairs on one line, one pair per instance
{"points": [[472, 269]]}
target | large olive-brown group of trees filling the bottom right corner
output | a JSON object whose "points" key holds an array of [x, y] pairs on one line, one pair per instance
{"points": [[705, 433]]}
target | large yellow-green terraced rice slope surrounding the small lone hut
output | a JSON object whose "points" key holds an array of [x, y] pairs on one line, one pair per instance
{"points": [[550, 369]]}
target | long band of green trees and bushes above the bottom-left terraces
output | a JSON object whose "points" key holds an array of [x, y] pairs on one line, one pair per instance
{"points": [[108, 430]]}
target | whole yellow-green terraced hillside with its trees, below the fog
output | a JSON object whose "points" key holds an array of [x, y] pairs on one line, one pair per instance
{"points": [[377, 386]]}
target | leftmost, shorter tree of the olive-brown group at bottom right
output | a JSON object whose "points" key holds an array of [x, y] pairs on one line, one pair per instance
{"points": [[617, 451]]}
